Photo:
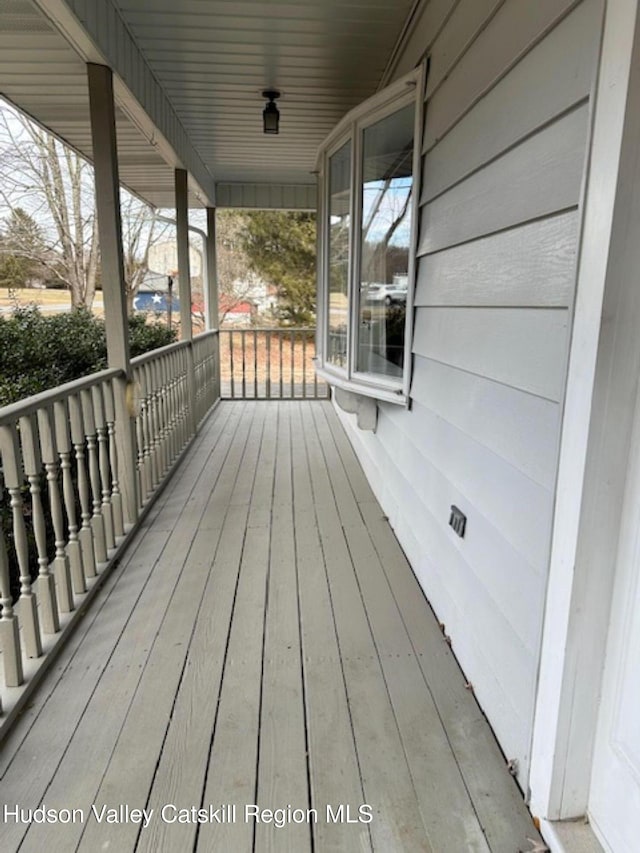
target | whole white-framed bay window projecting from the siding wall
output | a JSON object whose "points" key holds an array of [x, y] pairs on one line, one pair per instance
{"points": [[368, 178]]}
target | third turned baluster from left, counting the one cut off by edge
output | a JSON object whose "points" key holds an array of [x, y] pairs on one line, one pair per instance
{"points": [[45, 584]]}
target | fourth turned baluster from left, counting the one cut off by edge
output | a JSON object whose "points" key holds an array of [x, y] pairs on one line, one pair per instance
{"points": [[49, 451]]}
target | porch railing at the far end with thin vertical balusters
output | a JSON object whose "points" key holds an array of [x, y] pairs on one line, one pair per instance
{"points": [[269, 364]]}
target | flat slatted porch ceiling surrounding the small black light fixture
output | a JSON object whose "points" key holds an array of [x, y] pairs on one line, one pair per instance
{"points": [[214, 59]]}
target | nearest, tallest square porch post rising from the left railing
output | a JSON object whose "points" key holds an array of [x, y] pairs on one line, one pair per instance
{"points": [[107, 188]]}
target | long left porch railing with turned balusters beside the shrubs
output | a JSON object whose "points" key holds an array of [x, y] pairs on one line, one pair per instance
{"points": [[68, 496]]}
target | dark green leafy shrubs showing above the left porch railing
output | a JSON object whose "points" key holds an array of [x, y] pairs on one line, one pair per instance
{"points": [[39, 352]]}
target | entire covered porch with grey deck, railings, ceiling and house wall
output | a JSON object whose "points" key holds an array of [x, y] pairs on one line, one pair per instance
{"points": [[203, 607]]}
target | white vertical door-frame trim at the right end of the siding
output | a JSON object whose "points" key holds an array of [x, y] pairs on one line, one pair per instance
{"points": [[596, 433]]}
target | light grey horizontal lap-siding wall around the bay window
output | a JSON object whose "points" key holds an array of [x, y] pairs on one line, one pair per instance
{"points": [[506, 134]]}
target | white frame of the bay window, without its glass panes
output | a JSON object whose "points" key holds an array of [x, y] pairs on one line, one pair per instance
{"points": [[407, 90]]}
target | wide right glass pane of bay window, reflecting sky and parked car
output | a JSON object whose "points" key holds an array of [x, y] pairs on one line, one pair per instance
{"points": [[384, 242]]}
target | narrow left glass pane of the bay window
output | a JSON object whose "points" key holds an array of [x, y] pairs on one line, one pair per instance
{"points": [[339, 223]]}
